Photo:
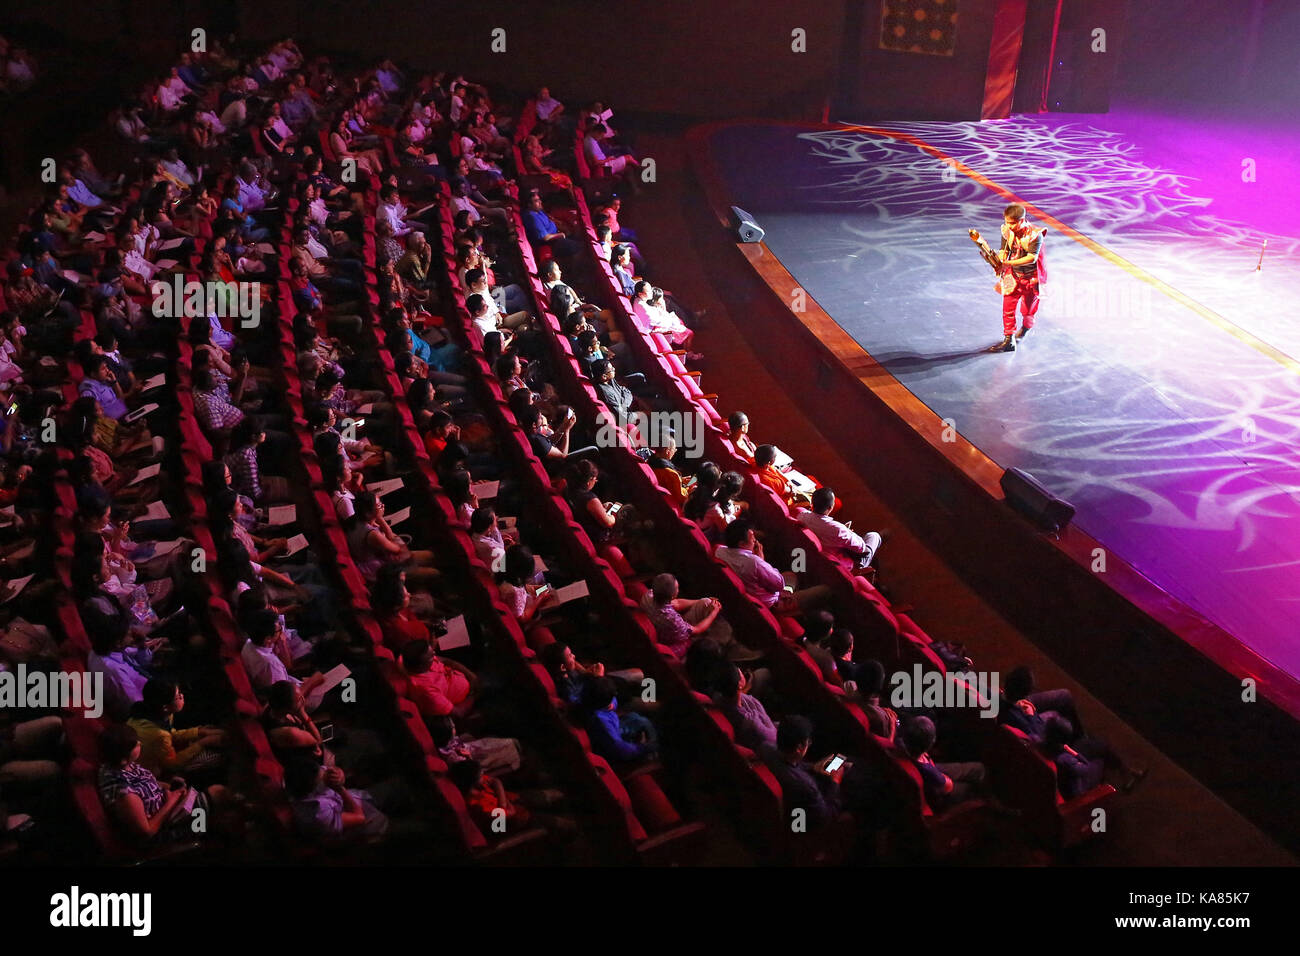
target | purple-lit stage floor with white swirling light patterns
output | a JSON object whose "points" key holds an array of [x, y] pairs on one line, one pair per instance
{"points": [[1160, 392]]}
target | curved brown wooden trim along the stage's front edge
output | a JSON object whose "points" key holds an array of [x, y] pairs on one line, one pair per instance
{"points": [[968, 461]]}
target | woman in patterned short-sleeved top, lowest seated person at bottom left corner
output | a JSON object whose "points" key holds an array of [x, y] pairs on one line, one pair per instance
{"points": [[148, 810]]}
